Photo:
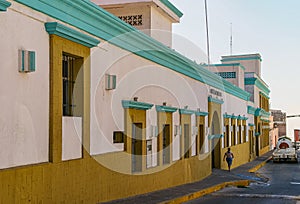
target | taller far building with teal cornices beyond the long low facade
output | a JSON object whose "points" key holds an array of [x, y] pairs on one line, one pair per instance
{"points": [[244, 71]]}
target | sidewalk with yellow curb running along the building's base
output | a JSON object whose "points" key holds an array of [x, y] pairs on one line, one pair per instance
{"points": [[216, 181]]}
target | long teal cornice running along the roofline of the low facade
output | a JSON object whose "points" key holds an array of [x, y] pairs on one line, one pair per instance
{"points": [[89, 17]]}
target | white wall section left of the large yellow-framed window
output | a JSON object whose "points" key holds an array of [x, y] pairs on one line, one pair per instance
{"points": [[24, 97]]}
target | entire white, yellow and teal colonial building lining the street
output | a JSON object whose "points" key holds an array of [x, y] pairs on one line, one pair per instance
{"points": [[96, 106]]}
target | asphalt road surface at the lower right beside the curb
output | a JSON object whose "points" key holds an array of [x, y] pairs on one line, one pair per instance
{"points": [[282, 186]]}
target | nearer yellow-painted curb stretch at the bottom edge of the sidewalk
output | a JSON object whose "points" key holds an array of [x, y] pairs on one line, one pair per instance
{"points": [[206, 191]]}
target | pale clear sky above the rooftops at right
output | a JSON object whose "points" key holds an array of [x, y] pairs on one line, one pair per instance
{"points": [[268, 27]]}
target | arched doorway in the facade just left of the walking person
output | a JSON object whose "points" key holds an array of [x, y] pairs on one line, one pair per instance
{"points": [[215, 141]]}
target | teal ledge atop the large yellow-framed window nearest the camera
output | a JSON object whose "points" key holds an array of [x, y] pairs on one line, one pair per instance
{"points": [[71, 34]]}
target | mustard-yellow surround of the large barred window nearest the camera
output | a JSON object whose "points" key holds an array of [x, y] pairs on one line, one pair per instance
{"points": [[58, 46]]}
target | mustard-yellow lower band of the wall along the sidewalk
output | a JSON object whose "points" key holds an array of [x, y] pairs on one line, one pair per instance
{"points": [[86, 181]]}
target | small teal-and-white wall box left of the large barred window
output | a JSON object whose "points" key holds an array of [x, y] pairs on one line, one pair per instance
{"points": [[26, 61]]}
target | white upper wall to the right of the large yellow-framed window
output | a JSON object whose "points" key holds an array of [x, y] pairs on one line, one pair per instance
{"points": [[151, 83]]}
